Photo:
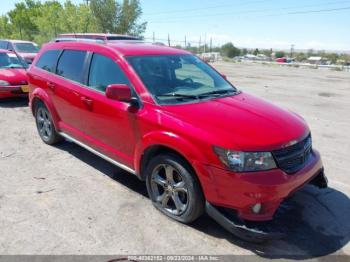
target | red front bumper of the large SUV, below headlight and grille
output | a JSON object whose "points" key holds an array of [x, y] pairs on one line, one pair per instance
{"points": [[240, 191]]}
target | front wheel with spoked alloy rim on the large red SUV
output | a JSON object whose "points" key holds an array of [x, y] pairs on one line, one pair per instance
{"points": [[174, 189]]}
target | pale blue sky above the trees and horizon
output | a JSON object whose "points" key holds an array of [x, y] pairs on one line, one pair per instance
{"points": [[277, 24]]}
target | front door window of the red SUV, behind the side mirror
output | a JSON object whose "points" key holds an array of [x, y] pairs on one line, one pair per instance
{"points": [[103, 72]]}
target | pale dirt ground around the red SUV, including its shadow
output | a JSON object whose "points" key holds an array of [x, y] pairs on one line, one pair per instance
{"points": [[65, 200]]}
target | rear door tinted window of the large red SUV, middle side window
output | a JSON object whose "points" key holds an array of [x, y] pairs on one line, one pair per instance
{"points": [[71, 65]]}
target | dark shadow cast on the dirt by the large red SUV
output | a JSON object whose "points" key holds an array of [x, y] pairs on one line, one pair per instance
{"points": [[315, 220]]}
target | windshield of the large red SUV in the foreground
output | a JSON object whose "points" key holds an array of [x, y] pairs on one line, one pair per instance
{"points": [[175, 79]]}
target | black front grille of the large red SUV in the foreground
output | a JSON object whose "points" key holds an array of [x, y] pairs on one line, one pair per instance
{"points": [[293, 158]]}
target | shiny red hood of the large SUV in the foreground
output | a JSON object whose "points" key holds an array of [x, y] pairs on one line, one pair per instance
{"points": [[242, 122]]}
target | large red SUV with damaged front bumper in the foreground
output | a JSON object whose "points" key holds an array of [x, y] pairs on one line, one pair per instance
{"points": [[172, 120]]}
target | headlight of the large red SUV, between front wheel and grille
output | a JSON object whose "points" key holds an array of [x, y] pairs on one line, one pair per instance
{"points": [[245, 161]]}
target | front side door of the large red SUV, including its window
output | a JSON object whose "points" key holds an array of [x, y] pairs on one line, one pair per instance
{"points": [[110, 124]]}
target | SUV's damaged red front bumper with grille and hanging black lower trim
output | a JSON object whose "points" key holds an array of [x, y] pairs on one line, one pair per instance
{"points": [[247, 200]]}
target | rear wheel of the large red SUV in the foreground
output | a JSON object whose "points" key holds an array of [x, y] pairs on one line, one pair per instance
{"points": [[45, 126]]}
